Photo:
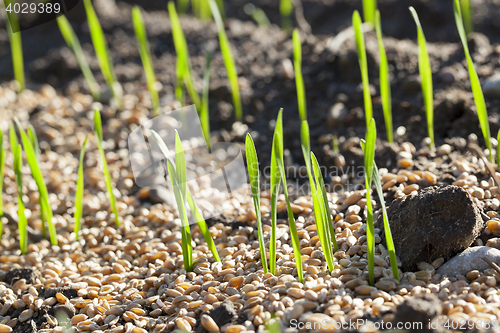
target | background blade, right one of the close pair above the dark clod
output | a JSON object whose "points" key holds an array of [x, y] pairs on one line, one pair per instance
{"points": [[385, 82]]}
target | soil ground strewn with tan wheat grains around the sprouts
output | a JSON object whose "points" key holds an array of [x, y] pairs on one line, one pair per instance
{"points": [[131, 278]]}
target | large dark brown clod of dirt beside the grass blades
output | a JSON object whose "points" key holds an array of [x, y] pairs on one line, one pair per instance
{"points": [[437, 222]]}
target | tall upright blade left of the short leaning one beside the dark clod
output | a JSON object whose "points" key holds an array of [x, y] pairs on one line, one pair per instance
{"points": [[371, 138]]}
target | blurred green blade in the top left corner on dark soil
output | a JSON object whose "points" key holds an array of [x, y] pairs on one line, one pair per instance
{"points": [[16, 46]]}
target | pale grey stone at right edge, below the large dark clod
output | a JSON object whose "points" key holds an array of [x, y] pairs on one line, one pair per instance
{"points": [[470, 259]]}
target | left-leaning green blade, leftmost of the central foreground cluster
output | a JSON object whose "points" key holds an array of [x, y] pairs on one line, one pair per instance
{"points": [[253, 175]]}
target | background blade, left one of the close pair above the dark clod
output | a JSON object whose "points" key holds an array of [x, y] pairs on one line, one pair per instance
{"points": [[363, 65]]}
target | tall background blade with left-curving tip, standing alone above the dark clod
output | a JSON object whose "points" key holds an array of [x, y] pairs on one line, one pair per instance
{"points": [[424, 67]]}
